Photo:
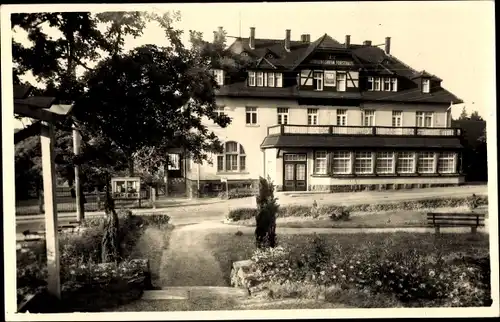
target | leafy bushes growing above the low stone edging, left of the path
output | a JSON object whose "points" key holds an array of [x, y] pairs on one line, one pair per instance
{"points": [[81, 253]]}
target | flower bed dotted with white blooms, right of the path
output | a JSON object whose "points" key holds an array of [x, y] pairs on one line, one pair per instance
{"points": [[425, 270]]}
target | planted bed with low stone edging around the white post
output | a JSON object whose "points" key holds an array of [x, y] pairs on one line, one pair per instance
{"points": [[86, 283]]}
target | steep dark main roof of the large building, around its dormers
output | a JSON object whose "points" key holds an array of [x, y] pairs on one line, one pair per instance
{"points": [[368, 58]]}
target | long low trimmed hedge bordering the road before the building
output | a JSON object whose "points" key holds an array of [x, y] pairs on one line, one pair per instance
{"points": [[328, 210]]}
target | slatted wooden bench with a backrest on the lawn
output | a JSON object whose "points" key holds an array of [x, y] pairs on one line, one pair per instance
{"points": [[472, 220]]}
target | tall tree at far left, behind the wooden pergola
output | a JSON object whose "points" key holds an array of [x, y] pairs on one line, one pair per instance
{"points": [[61, 43]]}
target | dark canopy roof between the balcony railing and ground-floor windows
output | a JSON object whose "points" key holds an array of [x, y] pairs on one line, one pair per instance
{"points": [[331, 141]]}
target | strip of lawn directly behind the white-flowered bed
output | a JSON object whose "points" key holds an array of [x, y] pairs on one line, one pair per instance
{"points": [[228, 247]]}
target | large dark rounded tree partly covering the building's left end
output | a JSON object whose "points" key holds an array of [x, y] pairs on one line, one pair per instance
{"points": [[155, 98]]}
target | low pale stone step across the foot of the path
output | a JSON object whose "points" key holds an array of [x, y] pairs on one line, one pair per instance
{"points": [[187, 292]]}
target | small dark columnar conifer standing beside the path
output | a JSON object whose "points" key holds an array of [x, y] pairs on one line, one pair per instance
{"points": [[267, 209]]}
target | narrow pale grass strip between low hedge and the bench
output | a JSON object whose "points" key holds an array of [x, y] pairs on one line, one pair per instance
{"points": [[381, 219]]}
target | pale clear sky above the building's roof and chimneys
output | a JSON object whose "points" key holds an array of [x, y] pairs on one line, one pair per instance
{"points": [[451, 39]]}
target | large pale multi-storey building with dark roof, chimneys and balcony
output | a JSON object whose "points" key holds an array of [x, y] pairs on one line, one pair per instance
{"points": [[327, 116]]}
